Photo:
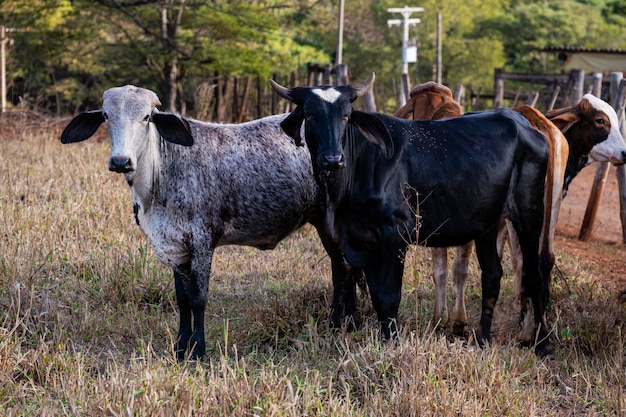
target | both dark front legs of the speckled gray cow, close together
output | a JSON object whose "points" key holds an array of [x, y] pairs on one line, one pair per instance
{"points": [[192, 290]]}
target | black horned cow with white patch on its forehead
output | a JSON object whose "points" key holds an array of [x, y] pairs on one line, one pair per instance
{"points": [[391, 181]]}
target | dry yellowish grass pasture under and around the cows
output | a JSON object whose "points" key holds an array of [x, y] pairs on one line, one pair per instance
{"points": [[88, 318]]}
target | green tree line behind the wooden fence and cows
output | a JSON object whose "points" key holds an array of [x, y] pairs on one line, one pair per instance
{"points": [[64, 53]]}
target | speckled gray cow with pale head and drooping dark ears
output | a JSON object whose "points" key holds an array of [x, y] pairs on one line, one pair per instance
{"points": [[197, 185]]}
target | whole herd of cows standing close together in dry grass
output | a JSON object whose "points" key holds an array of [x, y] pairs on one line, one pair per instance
{"points": [[371, 185]]}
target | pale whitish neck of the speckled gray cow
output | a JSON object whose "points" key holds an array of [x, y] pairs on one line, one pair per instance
{"points": [[143, 181]]}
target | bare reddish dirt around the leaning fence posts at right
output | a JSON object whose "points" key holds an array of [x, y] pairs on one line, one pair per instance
{"points": [[605, 248]]}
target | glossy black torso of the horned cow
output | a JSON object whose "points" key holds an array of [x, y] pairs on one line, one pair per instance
{"points": [[456, 174]]}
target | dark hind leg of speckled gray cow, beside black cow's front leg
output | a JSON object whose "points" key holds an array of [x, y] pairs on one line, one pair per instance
{"points": [[345, 278]]}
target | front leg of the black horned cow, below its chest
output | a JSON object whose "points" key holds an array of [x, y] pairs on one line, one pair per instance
{"points": [[384, 278]]}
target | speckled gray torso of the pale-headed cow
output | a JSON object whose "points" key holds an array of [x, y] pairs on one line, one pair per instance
{"points": [[246, 184]]}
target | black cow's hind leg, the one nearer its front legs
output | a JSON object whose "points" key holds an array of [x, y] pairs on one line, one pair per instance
{"points": [[487, 254]]}
